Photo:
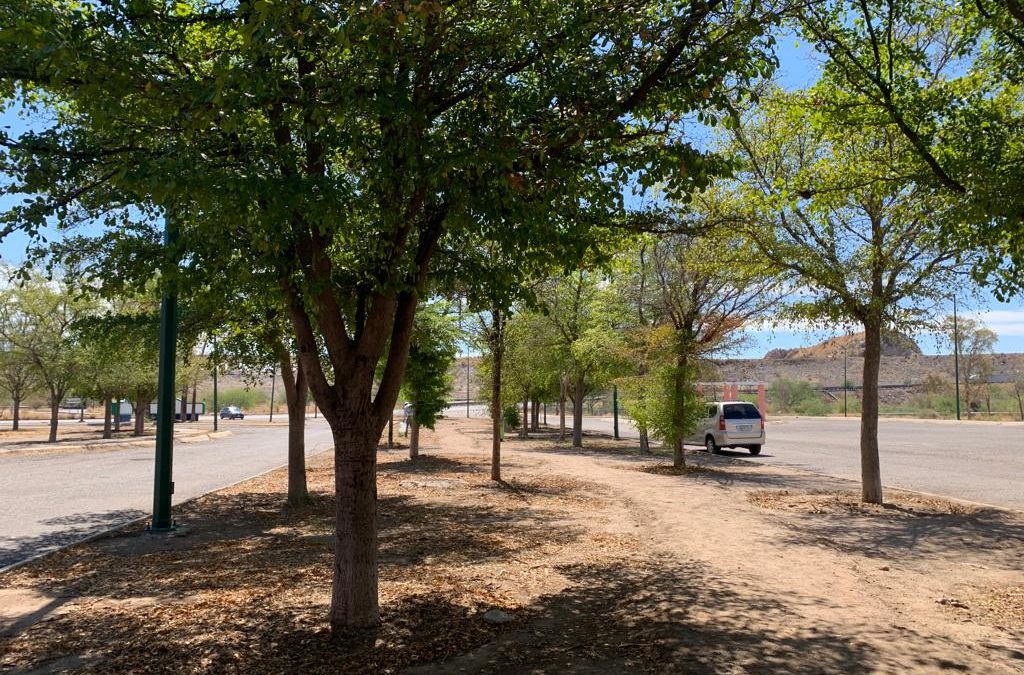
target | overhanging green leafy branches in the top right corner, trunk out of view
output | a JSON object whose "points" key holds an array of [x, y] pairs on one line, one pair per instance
{"points": [[947, 78]]}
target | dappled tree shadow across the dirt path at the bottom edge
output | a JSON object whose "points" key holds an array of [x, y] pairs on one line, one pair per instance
{"points": [[655, 618]]}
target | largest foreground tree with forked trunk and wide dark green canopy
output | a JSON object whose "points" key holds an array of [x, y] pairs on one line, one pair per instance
{"points": [[349, 150]]}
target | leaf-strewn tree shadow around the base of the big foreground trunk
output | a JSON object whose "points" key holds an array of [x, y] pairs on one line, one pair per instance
{"points": [[254, 577]]}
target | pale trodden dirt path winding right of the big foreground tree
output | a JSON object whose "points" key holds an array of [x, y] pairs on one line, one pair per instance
{"points": [[843, 589]]}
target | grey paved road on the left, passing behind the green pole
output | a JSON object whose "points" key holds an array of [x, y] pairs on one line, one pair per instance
{"points": [[51, 500]]}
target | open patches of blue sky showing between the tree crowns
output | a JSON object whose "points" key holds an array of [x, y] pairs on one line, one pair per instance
{"points": [[798, 69]]}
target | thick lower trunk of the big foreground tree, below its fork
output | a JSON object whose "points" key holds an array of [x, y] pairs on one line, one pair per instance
{"points": [[354, 595]]}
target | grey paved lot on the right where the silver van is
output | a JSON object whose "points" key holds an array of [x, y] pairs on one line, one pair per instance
{"points": [[977, 461]]}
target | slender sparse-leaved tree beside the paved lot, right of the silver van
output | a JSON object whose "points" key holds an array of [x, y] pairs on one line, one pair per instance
{"points": [[846, 219]]}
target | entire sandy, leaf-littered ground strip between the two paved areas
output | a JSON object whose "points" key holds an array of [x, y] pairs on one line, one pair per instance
{"points": [[596, 565]]}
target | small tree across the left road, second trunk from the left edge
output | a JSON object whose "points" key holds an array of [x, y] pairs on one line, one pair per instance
{"points": [[39, 319]]}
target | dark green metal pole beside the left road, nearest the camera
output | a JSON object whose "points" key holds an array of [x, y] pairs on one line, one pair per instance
{"points": [[163, 487]]}
